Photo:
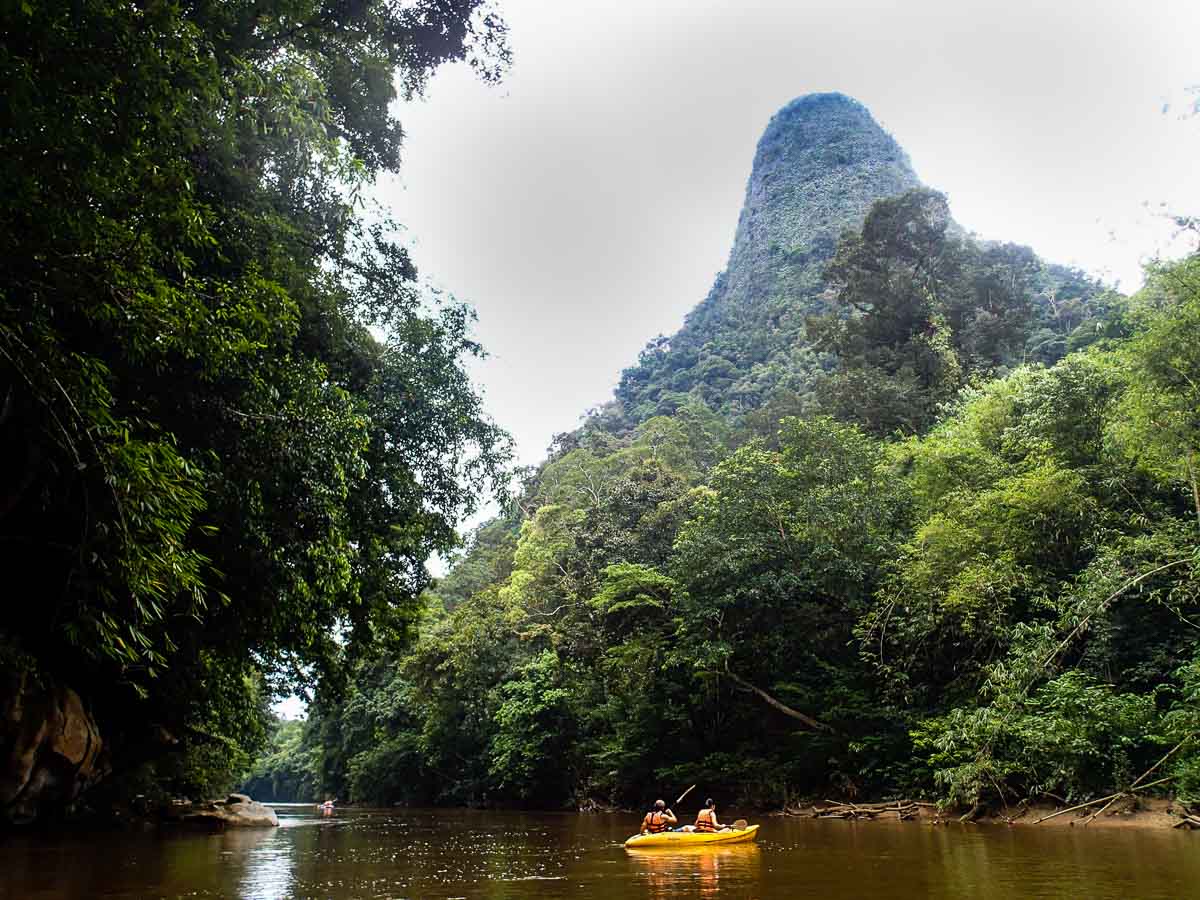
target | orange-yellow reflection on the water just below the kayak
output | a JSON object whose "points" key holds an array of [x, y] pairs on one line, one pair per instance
{"points": [[704, 871]]}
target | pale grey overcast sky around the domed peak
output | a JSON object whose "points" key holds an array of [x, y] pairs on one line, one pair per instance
{"points": [[586, 205]]}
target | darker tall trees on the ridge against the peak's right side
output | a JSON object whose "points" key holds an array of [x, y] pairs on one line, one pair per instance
{"points": [[921, 314]]}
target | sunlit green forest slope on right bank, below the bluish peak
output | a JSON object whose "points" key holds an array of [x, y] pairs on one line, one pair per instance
{"points": [[981, 585]]}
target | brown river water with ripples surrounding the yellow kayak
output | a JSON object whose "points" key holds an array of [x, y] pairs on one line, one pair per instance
{"points": [[511, 856]]}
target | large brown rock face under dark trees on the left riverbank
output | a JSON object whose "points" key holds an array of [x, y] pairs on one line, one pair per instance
{"points": [[51, 749]]}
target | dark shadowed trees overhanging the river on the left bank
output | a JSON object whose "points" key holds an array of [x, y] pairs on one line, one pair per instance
{"points": [[233, 427]]}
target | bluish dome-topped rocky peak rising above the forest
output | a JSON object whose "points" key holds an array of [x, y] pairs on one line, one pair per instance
{"points": [[819, 167]]}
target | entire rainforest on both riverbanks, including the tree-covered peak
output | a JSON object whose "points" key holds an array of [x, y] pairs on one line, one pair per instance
{"points": [[898, 511]]}
